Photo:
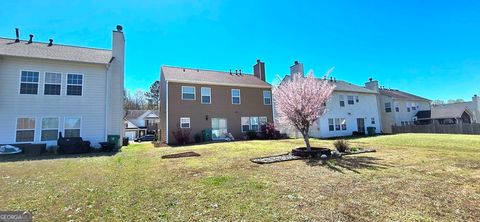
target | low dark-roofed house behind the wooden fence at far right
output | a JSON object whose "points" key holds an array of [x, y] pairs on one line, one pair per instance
{"points": [[455, 113]]}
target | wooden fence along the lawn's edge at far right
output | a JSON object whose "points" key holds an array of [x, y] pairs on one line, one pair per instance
{"points": [[439, 128]]}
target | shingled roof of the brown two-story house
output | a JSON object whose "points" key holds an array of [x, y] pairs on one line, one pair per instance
{"points": [[199, 76]]}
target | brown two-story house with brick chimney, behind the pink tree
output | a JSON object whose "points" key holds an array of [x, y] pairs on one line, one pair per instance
{"points": [[225, 102]]}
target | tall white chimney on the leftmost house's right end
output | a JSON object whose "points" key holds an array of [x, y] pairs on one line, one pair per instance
{"points": [[115, 84]]}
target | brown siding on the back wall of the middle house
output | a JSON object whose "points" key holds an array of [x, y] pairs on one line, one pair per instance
{"points": [[221, 107]]}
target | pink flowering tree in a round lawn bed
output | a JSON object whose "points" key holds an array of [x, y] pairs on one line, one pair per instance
{"points": [[300, 101]]}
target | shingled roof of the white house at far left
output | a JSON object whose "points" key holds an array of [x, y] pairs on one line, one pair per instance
{"points": [[8, 47]]}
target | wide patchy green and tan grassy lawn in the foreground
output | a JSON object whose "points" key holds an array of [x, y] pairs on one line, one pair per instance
{"points": [[411, 177]]}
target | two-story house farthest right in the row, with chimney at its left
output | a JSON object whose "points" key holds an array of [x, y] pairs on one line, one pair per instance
{"points": [[397, 108]]}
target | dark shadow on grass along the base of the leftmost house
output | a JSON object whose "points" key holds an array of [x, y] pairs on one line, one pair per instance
{"points": [[51, 156]]}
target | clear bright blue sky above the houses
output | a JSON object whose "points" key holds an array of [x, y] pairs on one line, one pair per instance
{"points": [[429, 48]]}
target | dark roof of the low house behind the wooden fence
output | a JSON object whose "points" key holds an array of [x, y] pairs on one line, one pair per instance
{"points": [[445, 111]]}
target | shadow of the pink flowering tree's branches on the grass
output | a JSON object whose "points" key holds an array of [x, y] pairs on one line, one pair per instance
{"points": [[351, 163]]}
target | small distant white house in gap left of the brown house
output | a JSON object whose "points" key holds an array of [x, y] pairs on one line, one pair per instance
{"points": [[141, 122]]}
